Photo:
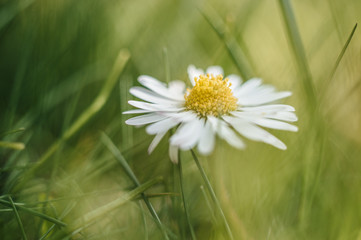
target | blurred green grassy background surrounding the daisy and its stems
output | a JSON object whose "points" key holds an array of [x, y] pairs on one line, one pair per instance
{"points": [[65, 71]]}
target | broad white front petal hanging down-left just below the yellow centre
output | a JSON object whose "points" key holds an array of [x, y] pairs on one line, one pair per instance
{"points": [[187, 135]]}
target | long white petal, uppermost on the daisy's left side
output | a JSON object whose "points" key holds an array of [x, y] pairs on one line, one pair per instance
{"points": [[158, 87]]}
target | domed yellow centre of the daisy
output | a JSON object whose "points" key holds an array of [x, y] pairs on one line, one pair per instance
{"points": [[211, 95]]}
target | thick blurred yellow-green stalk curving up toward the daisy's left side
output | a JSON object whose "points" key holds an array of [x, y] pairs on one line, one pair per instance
{"points": [[98, 103]]}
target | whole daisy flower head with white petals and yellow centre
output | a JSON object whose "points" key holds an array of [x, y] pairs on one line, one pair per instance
{"points": [[213, 106]]}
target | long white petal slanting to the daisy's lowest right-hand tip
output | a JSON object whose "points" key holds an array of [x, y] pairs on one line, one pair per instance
{"points": [[254, 133]]}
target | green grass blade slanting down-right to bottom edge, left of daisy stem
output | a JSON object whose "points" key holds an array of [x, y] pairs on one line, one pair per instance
{"points": [[117, 154]]}
